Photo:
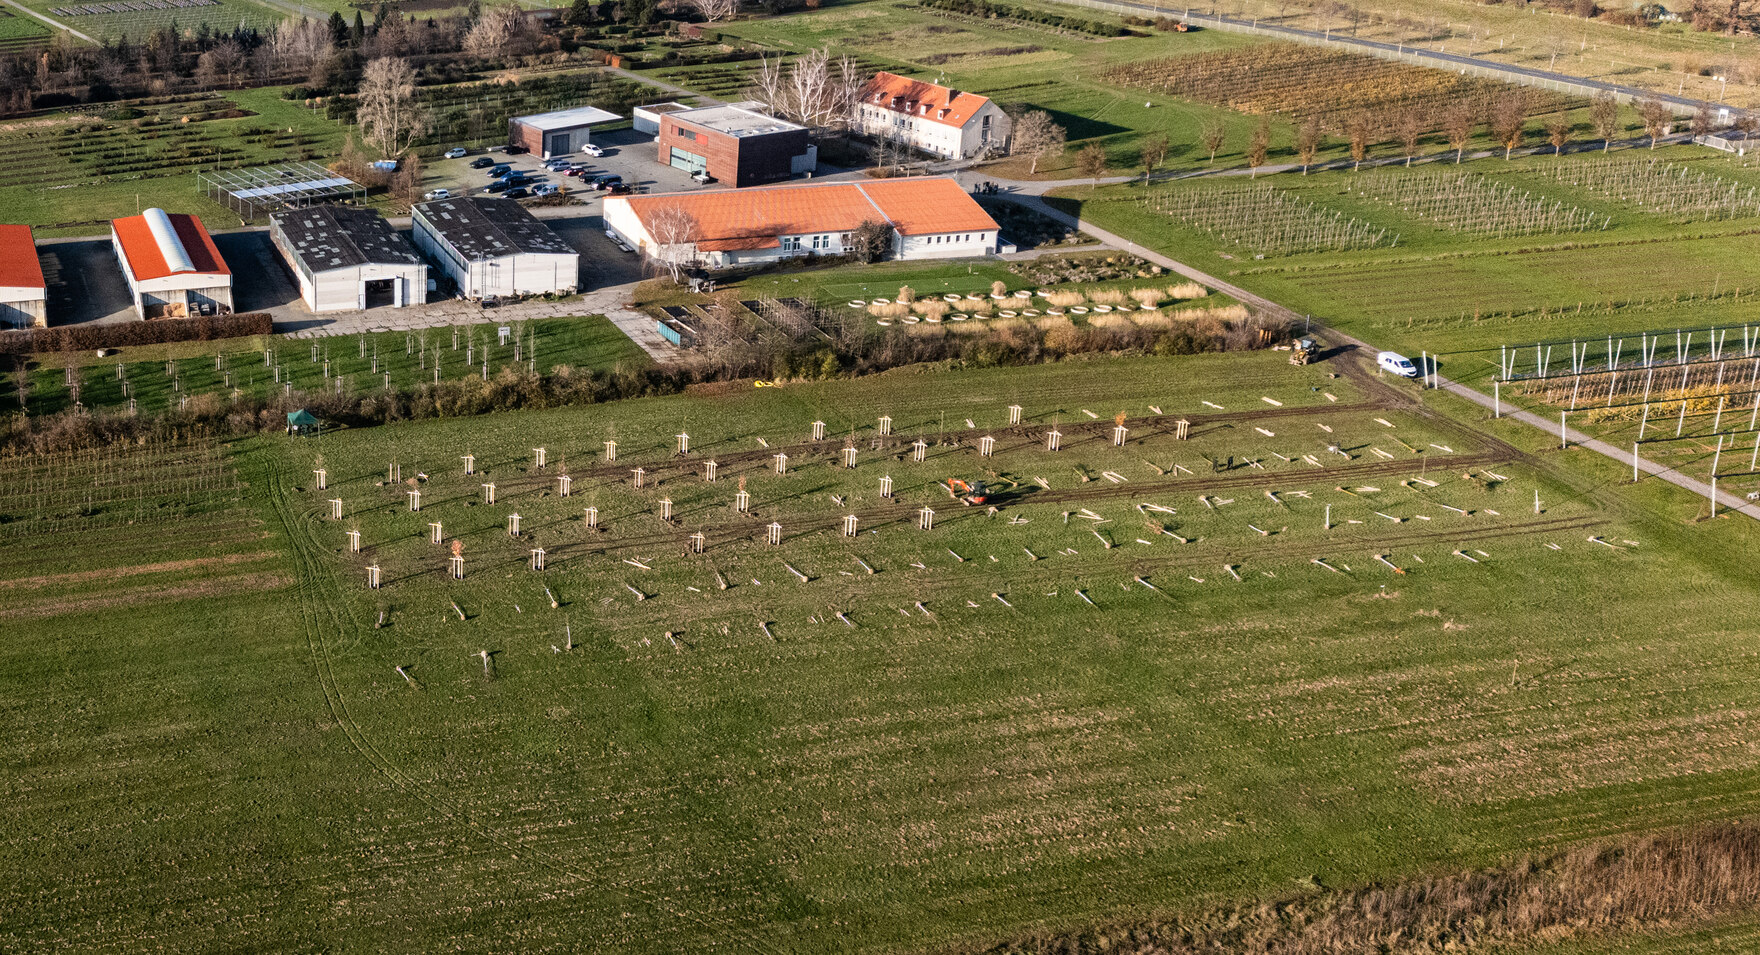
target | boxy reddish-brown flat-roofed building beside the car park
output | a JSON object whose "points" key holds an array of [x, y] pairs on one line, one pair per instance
{"points": [[738, 147]]}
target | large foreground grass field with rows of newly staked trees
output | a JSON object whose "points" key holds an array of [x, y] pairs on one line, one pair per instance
{"points": [[1023, 720]]}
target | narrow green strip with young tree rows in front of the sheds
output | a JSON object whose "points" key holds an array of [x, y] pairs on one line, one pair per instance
{"points": [[156, 379]]}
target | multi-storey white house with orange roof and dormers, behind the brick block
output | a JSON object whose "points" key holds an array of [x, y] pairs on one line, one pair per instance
{"points": [[934, 119]]}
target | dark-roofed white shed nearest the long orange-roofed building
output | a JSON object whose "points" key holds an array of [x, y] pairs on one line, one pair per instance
{"points": [[495, 247]]}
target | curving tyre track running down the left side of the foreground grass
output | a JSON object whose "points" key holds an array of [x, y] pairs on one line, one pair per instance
{"points": [[319, 613]]}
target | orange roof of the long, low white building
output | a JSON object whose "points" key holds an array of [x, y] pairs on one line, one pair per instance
{"points": [[759, 217]]}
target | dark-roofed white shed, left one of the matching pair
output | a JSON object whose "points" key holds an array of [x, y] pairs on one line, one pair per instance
{"points": [[349, 258]]}
